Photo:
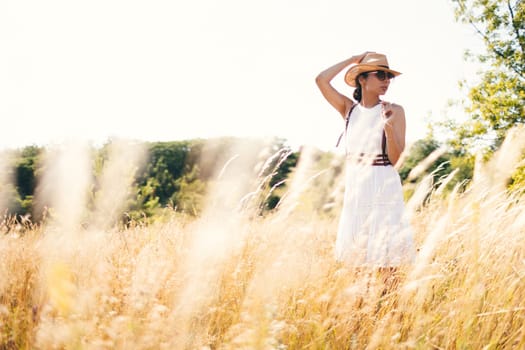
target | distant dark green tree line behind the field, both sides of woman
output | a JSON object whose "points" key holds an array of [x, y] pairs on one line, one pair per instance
{"points": [[177, 174]]}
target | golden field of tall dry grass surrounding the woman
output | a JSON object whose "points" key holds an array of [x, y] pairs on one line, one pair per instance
{"points": [[233, 279]]}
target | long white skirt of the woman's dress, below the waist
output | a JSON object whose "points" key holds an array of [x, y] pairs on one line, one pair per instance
{"points": [[373, 229]]}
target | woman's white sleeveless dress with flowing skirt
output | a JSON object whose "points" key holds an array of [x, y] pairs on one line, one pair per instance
{"points": [[373, 230]]}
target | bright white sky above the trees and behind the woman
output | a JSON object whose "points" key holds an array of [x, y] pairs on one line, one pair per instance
{"points": [[170, 70]]}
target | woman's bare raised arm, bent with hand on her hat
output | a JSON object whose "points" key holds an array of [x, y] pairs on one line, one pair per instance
{"points": [[339, 101]]}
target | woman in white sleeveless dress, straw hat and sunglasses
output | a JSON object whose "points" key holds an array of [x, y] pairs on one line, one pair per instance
{"points": [[372, 230]]}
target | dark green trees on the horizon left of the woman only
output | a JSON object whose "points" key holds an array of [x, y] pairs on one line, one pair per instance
{"points": [[175, 174]]}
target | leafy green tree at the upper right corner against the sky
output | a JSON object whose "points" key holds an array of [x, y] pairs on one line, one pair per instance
{"points": [[497, 102]]}
